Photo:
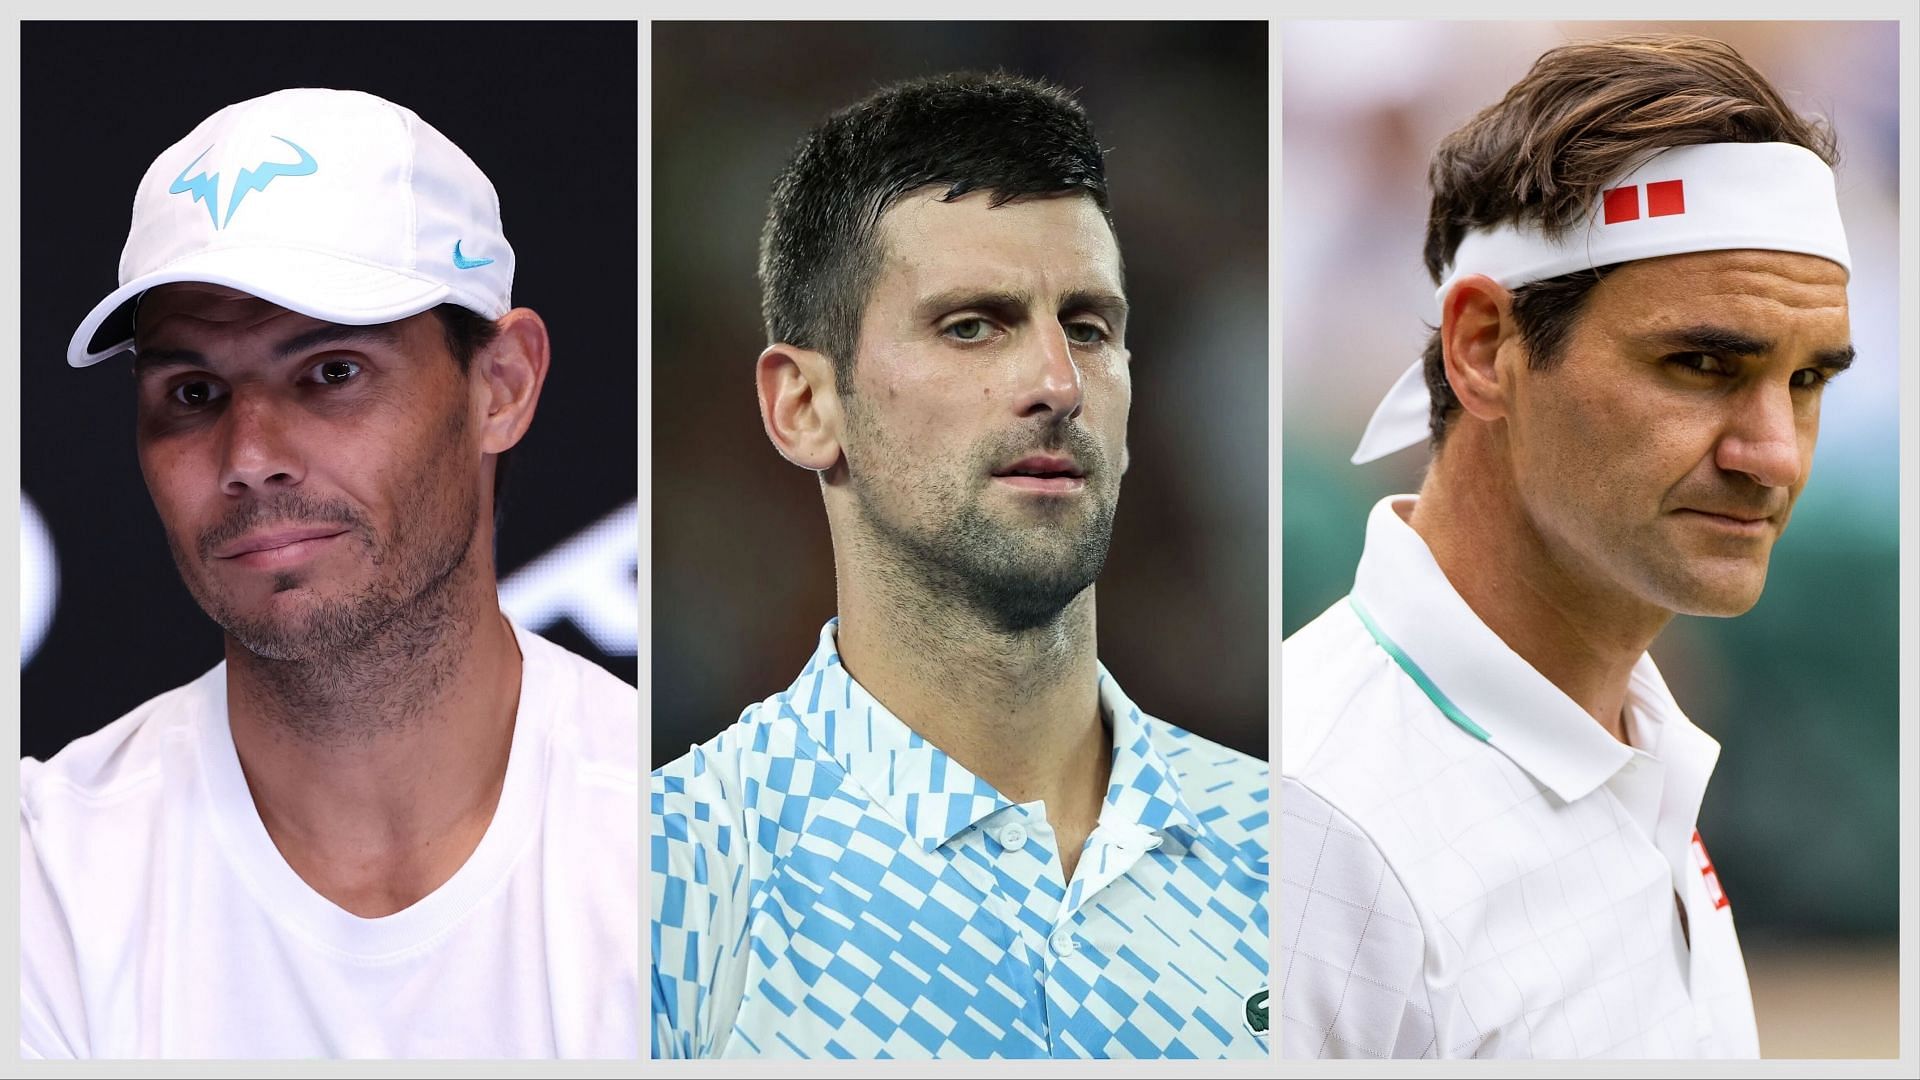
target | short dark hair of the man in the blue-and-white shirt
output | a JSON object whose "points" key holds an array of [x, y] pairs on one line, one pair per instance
{"points": [[999, 134]]}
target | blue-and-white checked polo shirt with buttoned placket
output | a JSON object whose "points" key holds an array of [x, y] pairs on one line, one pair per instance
{"points": [[830, 885]]}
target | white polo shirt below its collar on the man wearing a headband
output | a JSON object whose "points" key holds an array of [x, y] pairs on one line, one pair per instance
{"points": [[1439, 902]]}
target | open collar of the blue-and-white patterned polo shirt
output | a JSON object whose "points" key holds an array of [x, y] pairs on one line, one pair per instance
{"points": [[936, 798]]}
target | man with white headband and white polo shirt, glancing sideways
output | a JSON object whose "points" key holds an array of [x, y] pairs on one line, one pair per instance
{"points": [[1489, 795]]}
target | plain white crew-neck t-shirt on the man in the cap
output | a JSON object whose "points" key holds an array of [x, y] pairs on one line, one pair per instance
{"points": [[158, 920]]}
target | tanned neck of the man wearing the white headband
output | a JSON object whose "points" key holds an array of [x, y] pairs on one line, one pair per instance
{"points": [[1581, 637]]}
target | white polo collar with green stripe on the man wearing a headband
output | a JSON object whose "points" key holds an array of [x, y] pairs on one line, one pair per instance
{"points": [[1527, 718]]}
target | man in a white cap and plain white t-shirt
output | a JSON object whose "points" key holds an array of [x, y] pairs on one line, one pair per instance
{"points": [[393, 823]]}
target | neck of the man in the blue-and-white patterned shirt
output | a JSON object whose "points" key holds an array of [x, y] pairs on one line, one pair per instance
{"points": [[1019, 710]]}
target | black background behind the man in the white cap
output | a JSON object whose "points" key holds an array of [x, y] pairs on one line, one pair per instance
{"points": [[550, 116]]}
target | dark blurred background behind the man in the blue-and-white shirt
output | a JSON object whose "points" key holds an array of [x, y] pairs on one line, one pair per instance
{"points": [[742, 568]]}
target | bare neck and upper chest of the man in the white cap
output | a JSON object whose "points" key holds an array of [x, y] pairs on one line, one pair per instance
{"points": [[377, 772]]}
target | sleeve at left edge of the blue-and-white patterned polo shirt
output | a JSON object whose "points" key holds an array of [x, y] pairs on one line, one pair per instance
{"points": [[702, 893]]}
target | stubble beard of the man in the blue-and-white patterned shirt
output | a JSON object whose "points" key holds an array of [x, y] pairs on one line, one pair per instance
{"points": [[1015, 577]]}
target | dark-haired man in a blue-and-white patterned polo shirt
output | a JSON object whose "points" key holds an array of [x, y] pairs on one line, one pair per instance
{"points": [[955, 835]]}
